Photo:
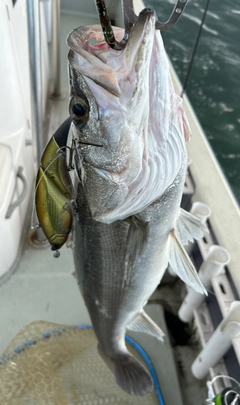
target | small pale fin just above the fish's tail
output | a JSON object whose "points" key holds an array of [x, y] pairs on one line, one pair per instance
{"points": [[143, 323]]}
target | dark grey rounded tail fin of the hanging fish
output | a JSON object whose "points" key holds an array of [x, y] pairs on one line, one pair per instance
{"points": [[131, 376]]}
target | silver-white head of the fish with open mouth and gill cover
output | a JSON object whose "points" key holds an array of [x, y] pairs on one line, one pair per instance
{"points": [[125, 116]]}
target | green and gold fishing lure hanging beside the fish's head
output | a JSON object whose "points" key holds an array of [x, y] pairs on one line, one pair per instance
{"points": [[54, 189]]}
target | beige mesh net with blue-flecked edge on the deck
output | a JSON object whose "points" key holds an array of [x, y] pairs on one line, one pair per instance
{"points": [[61, 368]]}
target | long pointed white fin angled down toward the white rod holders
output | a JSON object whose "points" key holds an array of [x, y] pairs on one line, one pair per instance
{"points": [[182, 265]]}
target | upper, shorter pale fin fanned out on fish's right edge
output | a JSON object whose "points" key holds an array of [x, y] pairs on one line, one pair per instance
{"points": [[189, 227]]}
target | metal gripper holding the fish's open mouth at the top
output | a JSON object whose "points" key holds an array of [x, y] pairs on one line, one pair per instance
{"points": [[129, 20]]}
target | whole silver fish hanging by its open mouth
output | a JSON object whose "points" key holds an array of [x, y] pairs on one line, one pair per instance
{"points": [[130, 130]]}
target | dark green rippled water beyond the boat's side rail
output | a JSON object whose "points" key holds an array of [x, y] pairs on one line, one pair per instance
{"points": [[214, 84]]}
